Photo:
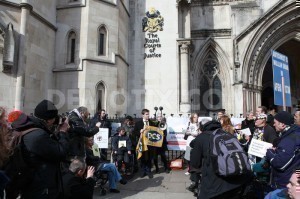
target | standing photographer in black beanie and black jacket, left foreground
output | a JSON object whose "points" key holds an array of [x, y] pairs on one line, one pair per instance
{"points": [[43, 151]]}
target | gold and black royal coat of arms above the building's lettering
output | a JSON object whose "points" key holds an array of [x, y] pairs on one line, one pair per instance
{"points": [[153, 21]]}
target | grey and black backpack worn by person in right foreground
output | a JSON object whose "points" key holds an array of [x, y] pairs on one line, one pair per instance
{"points": [[226, 154]]}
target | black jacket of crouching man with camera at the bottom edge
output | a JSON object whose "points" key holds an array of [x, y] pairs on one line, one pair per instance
{"points": [[78, 188]]}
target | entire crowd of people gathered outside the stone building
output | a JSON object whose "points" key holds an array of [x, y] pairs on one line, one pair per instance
{"points": [[59, 150]]}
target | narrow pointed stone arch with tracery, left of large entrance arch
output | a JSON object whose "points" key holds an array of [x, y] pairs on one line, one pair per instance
{"points": [[210, 68]]}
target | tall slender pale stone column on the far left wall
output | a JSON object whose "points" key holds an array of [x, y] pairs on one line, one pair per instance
{"points": [[20, 96]]}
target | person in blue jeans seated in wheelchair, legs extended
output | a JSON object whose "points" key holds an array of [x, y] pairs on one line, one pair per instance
{"points": [[93, 159]]}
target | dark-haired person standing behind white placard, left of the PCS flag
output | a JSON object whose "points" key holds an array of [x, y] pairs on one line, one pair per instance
{"points": [[101, 118]]}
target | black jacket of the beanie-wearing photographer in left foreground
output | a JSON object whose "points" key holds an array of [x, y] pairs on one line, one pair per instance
{"points": [[44, 151]]}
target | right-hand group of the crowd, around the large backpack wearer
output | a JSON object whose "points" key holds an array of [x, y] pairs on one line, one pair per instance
{"points": [[276, 175]]}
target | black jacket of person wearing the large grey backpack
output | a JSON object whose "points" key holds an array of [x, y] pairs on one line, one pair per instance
{"points": [[213, 185]]}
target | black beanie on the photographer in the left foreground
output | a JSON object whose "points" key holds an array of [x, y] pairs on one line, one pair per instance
{"points": [[45, 110]]}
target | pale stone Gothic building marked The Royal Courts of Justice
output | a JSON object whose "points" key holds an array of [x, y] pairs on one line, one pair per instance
{"points": [[125, 55]]}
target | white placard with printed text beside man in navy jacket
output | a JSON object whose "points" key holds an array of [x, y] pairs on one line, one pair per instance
{"points": [[259, 148]]}
